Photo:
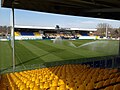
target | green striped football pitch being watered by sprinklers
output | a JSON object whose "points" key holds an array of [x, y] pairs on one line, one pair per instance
{"points": [[31, 52]]}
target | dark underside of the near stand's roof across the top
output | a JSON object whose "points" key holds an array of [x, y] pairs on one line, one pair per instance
{"points": [[109, 9]]}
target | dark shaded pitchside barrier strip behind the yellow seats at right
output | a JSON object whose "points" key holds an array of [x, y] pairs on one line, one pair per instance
{"points": [[96, 62]]}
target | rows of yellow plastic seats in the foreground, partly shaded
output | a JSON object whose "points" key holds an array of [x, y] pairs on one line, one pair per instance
{"points": [[65, 77]]}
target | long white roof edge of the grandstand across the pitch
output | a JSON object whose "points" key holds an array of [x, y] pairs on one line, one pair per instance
{"points": [[53, 28]]}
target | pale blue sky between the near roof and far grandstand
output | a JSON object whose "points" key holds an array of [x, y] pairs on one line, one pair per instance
{"points": [[23, 17]]}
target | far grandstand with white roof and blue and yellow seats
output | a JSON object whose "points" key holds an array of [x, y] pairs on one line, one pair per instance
{"points": [[35, 32]]}
